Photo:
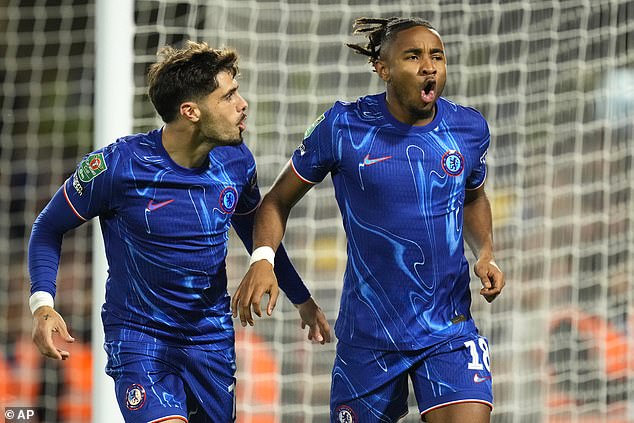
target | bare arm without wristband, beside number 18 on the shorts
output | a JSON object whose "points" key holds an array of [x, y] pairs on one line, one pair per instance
{"points": [[478, 233]]}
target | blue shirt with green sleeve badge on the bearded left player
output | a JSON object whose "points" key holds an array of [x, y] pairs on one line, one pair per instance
{"points": [[165, 230]]}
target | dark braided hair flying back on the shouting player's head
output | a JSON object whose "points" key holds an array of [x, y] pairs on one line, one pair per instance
{"points": [[380, 31]]}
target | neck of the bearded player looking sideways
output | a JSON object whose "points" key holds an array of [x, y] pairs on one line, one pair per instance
{"points": [[183, 146]]}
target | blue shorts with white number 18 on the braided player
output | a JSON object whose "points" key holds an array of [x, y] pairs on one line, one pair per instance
{"points": [[372, 386]]}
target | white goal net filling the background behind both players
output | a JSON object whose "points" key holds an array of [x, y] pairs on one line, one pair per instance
{"points": [[555, 80]]}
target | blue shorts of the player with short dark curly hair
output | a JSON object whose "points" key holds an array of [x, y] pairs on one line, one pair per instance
{"points": [[155, 382]]}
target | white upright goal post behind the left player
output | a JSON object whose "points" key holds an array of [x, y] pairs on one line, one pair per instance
{"points": [[114, 87]]}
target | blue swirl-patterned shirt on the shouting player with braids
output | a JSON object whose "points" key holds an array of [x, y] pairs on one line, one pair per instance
{"points": [[400, 191]]}
